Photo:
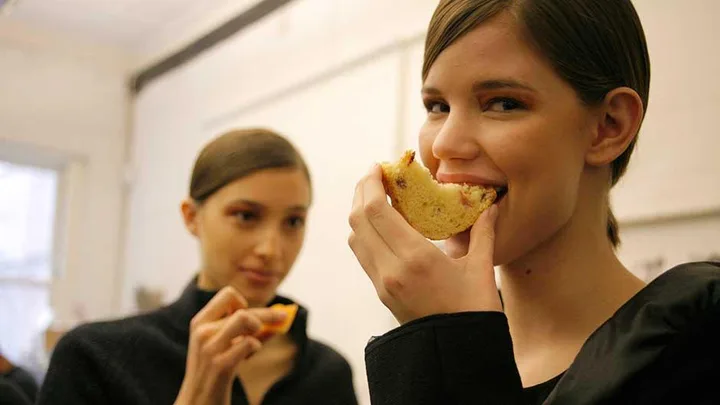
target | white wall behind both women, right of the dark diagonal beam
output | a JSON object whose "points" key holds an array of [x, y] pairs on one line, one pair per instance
{"points": [[341, 79]]}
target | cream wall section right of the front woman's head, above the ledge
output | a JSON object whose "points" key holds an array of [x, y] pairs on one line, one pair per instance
{"points": [[676, 167]]}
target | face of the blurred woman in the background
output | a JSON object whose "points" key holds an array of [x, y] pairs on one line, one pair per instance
{"points": [[251, 232]]}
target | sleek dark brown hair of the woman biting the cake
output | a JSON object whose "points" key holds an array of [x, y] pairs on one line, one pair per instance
{"points": [[594, 45]]}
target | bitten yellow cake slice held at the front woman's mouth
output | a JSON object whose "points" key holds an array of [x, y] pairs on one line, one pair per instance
{"points": [[438, 211]]}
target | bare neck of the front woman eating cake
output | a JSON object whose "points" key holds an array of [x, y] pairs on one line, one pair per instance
{"points": [[557, 295]]}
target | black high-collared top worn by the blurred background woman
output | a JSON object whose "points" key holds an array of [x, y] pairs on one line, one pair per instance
{"points": [[141, 361]]}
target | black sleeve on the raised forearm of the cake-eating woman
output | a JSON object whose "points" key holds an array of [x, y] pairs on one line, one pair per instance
{"points": [[452, 358]]}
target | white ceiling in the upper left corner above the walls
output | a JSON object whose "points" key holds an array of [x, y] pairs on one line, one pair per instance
{"points": [[141, 27]]}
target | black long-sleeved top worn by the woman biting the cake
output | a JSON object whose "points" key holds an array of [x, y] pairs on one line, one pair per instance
{"points": [[661, 347]]}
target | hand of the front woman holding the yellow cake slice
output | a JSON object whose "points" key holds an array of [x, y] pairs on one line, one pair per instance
{"points": [[414, 278]]}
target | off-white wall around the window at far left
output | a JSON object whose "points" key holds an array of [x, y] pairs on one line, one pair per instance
{"points": [[68, 100]]}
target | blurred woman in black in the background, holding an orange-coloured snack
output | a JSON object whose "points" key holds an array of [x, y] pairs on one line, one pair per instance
{"points": [[249, 198]]}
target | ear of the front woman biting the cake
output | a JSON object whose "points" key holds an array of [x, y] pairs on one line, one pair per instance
{"points": [[622, 113]]}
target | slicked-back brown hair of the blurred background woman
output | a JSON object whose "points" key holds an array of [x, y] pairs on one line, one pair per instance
{"points": [[240, 153]]}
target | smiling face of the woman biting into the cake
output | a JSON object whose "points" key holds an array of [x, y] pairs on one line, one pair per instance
{"points": [[498, 115]]}
